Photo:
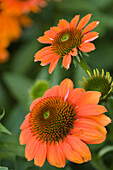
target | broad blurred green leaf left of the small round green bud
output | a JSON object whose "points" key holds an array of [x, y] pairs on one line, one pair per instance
{"points": [[19, 86]]}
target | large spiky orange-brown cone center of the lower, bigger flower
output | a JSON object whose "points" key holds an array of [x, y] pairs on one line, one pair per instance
{"points": [[51, 119]]}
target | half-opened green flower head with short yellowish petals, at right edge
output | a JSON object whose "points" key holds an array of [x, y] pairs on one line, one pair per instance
{"points": [[99, 82]]}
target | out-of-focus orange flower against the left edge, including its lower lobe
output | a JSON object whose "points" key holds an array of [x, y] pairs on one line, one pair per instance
{"points": [[11, 30]]}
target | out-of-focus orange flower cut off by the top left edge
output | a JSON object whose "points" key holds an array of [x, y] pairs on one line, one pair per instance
{"points": [[19, 7]]}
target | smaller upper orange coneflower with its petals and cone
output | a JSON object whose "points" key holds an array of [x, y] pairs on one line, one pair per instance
{"points": [[66, 39]]}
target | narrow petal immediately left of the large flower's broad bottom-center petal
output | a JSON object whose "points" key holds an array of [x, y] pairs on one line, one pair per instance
{"points": [[40, 155]]}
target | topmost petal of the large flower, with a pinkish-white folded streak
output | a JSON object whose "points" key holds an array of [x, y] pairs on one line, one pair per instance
{"points": [[65, 87]]}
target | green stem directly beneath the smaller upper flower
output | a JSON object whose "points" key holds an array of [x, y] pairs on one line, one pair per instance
{"points": [[83, 64]]}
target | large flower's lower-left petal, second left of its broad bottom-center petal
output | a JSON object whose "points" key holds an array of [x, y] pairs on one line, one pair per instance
{"points": [[31, 148]]}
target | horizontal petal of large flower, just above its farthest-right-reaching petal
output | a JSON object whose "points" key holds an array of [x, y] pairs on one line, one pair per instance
{"points": [[90, 110]]}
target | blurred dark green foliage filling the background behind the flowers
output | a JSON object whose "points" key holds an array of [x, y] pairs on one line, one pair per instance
{"points": [[18, 75]]}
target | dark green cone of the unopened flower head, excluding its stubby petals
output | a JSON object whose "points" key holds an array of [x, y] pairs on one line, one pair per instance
{"points": [[100, 84]]}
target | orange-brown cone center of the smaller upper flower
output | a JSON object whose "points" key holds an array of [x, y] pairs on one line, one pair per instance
{"points": [[66, 40]]}
